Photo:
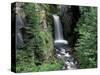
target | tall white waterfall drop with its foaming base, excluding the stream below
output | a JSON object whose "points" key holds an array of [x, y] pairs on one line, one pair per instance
{"points": [[59, 39]]}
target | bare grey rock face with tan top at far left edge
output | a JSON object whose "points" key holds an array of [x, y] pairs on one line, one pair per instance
{"points": [[20, 23]]}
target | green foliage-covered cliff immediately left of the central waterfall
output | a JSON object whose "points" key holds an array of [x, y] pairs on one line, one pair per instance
{"points": [[37, 52]]}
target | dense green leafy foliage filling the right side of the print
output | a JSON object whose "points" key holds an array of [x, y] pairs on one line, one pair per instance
{"points": [[86, 47]]}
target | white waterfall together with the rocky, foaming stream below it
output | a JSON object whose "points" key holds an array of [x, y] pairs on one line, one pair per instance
{"points": [[61, 46]]}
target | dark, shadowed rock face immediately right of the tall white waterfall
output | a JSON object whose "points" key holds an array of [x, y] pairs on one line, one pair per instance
{"points": [[69, 18]]}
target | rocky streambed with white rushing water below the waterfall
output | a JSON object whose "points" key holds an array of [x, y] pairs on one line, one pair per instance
{"points": [[69, 61]]}
